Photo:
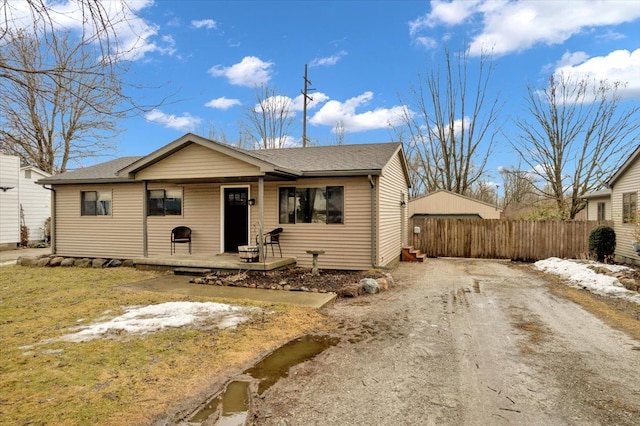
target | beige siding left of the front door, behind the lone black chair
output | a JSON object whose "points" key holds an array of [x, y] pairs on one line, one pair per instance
{"points": [[200, 212]]}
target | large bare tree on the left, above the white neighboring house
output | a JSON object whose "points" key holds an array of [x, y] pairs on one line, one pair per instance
{"points": [[53, 119]]}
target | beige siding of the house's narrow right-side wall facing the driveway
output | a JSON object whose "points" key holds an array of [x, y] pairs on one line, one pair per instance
{"points": [[392, 190]]}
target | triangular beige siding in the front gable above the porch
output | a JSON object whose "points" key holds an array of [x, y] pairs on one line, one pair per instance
{"points": [[197, 161]]}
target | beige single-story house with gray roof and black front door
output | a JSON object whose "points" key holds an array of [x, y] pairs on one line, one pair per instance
{"points": [[348, 200]]}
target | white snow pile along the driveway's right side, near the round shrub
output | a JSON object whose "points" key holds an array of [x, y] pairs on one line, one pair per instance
{"points": [[580, 274]]}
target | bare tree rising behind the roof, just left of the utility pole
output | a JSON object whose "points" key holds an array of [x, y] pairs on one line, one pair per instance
{"points": [[269, 119]]}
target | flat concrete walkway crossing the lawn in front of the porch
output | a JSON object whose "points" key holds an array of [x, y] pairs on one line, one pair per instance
{"points": [[179, 284]]}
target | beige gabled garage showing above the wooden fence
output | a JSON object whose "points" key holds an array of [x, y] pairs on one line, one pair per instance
{"points": [[447, 204]]}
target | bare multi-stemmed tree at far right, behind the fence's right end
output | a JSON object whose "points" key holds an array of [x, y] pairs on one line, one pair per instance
{"points": [[575, 137]]}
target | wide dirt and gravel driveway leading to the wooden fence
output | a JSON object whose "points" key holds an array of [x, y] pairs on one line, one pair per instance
{"points": [[463, 342]]}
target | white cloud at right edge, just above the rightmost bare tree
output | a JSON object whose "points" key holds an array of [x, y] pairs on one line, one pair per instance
{"points": [[619, 65]]}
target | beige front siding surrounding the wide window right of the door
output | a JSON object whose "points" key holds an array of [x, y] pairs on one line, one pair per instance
{"points": [[347, 245]]}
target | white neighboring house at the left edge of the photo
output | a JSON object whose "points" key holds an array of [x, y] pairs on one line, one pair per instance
{"points": [[18, 188]]}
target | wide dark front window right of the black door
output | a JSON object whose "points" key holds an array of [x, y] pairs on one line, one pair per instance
{"points": [[311, 205]]}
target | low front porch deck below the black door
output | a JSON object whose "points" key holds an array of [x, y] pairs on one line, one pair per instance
{"points": [[225, 261]]}
